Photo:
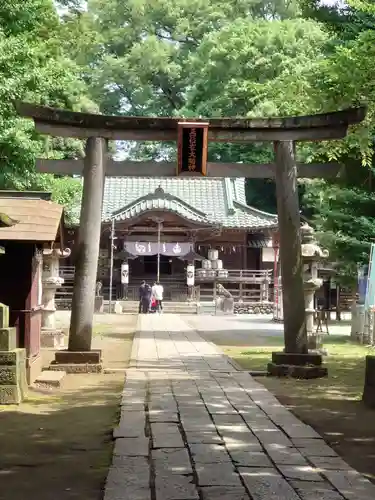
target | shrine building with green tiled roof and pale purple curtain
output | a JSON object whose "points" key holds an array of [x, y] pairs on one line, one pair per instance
{"points": [[205, 221]]}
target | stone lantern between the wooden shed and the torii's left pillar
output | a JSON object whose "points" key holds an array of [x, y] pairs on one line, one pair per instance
{"points": [[51, 281]]}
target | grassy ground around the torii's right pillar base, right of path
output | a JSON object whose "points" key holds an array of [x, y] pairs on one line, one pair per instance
{"points": [[332, 405]]}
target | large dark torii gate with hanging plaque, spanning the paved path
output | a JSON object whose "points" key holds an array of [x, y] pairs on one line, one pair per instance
{"points": [[192, 140]]}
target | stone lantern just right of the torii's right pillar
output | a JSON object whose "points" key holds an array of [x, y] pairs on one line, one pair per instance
{"points": [[312, 254]]}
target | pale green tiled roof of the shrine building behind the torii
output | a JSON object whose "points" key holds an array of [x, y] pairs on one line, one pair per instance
{"points": [[203, 200]]}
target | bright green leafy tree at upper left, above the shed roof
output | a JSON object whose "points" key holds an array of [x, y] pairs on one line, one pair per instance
{"points": [[33, 68]]}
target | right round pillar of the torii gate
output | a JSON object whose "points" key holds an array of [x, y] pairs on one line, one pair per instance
{"points": [[295, 335]]}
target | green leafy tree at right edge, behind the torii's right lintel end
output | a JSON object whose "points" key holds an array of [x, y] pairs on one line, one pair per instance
{"points": [[343, 210]]}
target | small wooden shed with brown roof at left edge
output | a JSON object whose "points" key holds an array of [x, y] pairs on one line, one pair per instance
{"points": [[39, 223]]}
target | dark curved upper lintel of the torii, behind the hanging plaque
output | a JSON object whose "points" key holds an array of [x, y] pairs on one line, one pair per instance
{"points": [[64, 123]]}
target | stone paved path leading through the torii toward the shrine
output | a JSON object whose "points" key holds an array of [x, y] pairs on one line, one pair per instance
{"points": [[192, 427]]}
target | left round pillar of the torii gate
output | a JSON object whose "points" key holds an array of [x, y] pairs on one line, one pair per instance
{"points": [[80, 333]]}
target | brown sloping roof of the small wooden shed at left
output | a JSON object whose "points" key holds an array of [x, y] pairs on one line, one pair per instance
{"points": [[37, 219]]}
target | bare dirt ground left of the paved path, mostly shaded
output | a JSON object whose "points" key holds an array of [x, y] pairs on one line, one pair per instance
{"points": [[58, 446]]}
